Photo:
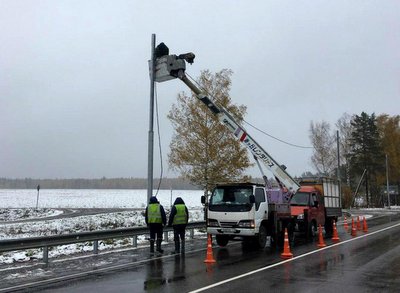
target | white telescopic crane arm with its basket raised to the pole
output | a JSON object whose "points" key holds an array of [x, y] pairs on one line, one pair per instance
{"points": [[172, 66]]}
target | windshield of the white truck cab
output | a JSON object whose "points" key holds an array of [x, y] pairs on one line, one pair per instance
{"points": [[231, 198]]}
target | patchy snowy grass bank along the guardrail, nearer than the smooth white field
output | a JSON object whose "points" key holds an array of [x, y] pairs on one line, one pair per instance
{"points": [[72, 225]]}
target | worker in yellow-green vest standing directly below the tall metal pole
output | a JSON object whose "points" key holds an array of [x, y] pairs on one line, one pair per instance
{"points": [[155, 219]]}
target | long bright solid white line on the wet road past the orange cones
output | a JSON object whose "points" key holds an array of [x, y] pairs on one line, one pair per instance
{"points": [[289, 260]]}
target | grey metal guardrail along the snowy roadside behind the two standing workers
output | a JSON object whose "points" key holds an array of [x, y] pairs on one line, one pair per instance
{"points": [[54, 240]]}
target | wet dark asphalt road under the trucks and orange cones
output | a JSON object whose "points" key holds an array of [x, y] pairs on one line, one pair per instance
{"points": [[367, 263]]}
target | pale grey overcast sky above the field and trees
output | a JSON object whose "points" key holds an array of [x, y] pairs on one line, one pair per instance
{"points": [[74, 82]]}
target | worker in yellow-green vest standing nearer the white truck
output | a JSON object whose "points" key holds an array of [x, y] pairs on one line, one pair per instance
{"points": [[178, 219]]}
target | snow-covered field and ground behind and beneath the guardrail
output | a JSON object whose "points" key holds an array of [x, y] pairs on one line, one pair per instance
{"points": [[20, 204]]}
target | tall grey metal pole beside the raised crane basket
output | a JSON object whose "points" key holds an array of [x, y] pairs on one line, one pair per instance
{"points": [[151, 121]]}
